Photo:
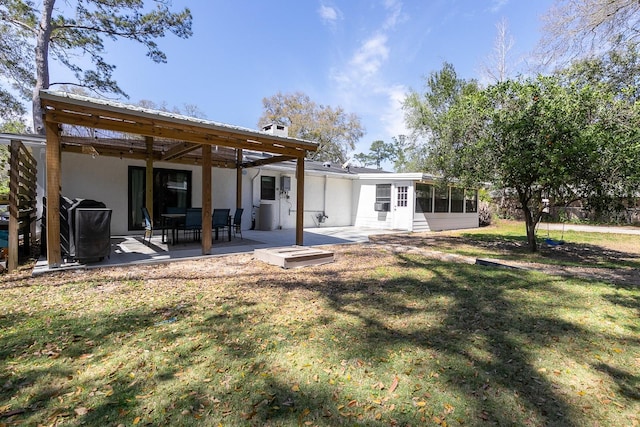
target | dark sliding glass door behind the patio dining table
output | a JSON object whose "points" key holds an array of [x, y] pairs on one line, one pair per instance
{"points": [[171, 189]]}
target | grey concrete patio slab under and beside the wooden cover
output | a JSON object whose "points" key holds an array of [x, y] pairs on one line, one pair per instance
{"points": [[130, 250]]}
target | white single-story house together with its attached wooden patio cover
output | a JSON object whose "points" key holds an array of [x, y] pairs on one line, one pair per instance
{"points": [[116, 172]]}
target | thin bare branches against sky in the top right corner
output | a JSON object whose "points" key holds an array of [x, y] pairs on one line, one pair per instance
{"points": [[582, 28]]}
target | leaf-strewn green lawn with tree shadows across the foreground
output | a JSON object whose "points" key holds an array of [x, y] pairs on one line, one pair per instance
{"points": [[377, 338]]}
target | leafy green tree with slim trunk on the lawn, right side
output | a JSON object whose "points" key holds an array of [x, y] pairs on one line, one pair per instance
{"points": [[542, 138]]}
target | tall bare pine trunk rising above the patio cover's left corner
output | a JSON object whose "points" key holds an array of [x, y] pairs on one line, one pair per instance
{"points": [[42, 64]]}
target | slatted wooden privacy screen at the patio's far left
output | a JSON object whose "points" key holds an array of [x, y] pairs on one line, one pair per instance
{"points": [[22, 201]]}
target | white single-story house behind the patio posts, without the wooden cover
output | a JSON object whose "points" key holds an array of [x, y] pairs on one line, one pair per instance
{"points": [[334, 196]]}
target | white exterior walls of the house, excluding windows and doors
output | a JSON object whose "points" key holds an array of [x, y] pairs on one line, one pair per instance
{"points": [[345, 201]]}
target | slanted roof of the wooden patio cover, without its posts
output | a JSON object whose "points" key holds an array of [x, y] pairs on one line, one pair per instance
{"points": [[115, 129]]}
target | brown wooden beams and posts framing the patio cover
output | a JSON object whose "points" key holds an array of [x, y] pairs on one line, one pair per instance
{"points": [[191, 133]]}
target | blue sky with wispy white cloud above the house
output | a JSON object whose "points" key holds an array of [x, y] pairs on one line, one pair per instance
{"points": [[362, 55]]}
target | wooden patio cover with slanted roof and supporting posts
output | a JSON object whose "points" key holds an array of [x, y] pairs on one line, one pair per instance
{"points": [[123, 130]]}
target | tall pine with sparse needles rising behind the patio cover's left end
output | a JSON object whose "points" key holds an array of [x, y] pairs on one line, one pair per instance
{"points": [[79, 30]]}
